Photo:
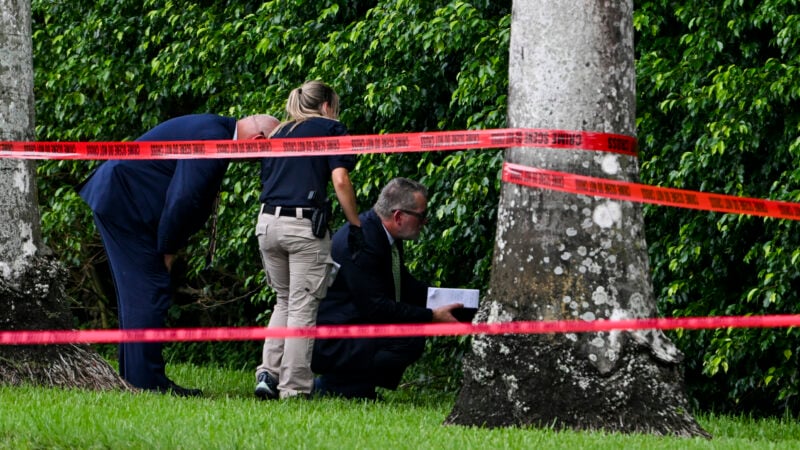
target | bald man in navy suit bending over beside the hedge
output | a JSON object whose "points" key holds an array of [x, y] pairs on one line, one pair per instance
{"points": [[145, 212]]}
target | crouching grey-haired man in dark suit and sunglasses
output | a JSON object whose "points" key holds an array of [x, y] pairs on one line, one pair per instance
{"points": [[373, 286]]}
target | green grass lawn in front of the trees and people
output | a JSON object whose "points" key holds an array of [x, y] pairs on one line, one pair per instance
{"points": [[229, 417]]}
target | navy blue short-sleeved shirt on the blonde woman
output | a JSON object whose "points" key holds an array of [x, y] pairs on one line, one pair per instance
{"points": [[287, 181]]}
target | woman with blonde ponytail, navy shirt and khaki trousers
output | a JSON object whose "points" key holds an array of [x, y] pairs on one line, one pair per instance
{"points": [[295, 253]]}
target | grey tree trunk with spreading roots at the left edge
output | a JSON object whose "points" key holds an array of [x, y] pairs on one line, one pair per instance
{"points": [[31, 281]]}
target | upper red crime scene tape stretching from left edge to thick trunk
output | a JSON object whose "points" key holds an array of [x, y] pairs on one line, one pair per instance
{"points": [[354, 144]]}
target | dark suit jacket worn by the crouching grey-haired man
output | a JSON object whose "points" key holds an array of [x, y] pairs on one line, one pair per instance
{"points": [[363, 293]]}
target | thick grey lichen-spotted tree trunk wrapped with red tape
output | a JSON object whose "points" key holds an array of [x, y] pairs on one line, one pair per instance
{"points": [[560, 256]]}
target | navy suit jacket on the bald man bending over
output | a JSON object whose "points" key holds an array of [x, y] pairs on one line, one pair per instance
{"points": [[169, 198]]}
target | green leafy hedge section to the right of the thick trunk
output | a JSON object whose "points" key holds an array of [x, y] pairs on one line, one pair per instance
{"points": [[718, 111]]}
